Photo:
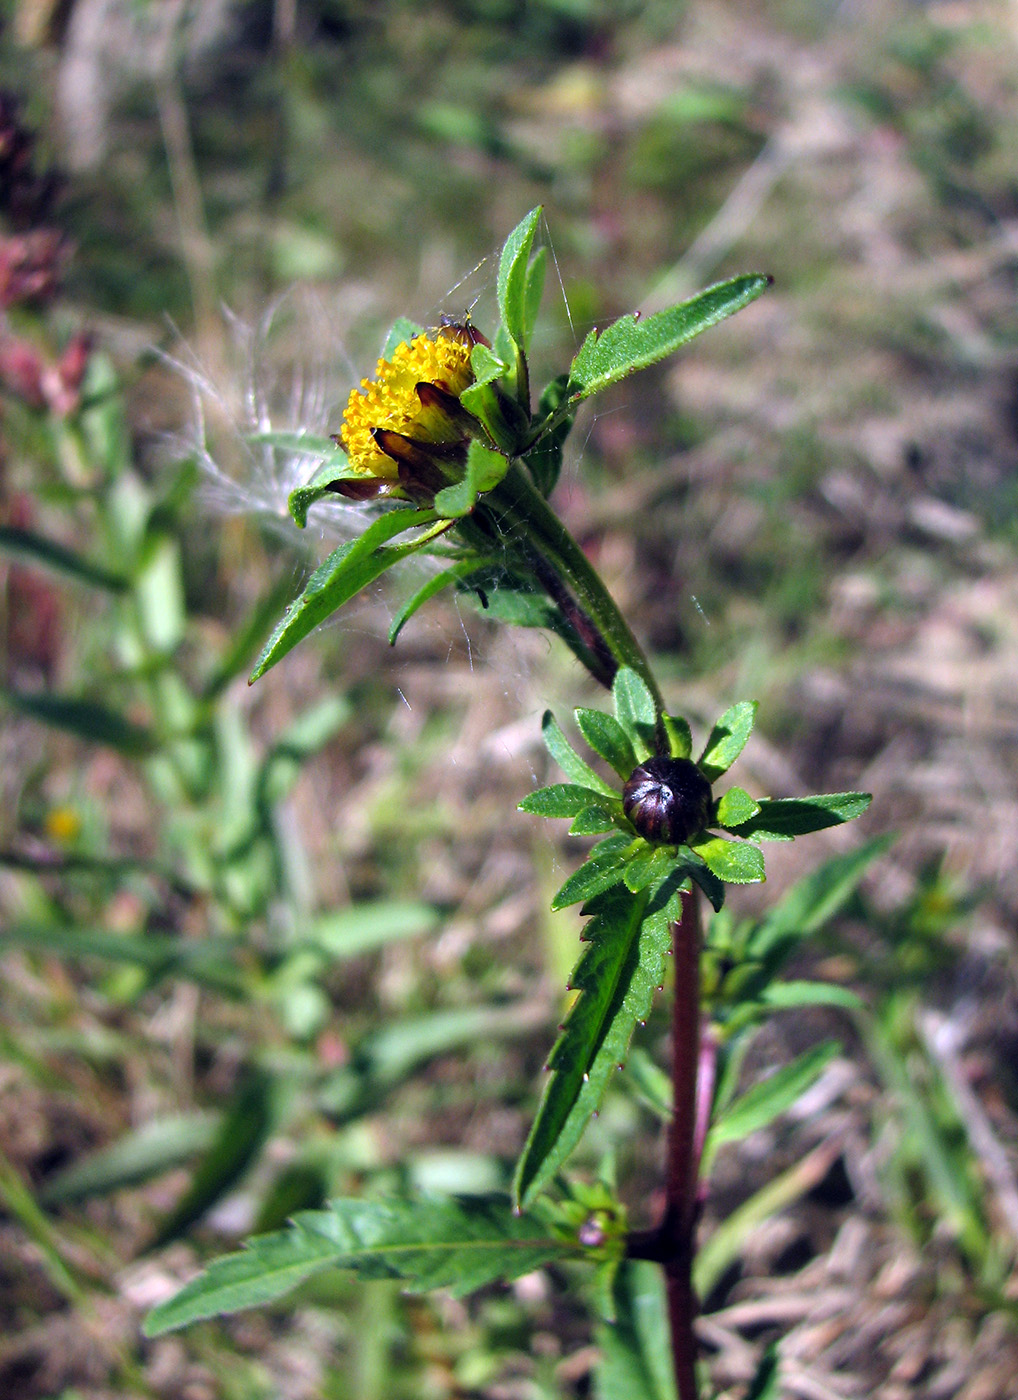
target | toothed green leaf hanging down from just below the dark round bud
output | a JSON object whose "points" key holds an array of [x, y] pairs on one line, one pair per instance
{"points": [[628, 937]]}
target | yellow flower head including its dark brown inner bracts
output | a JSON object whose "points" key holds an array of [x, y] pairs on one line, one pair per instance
{"points": [[401, 425]]}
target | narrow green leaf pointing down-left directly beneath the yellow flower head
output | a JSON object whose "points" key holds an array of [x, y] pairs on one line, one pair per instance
{"points": [[349, 569]]}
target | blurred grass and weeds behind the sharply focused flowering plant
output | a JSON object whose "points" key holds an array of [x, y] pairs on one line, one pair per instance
{"points": [[237, 982]]}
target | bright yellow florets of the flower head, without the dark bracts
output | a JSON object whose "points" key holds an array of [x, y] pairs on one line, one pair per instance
{"points": [[391, 401]]}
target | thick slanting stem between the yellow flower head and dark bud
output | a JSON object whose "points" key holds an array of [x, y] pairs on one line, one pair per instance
{"points": [[524, 514]]}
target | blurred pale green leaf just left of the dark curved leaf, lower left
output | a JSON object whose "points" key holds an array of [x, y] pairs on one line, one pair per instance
{"points": [[135, 1157]]}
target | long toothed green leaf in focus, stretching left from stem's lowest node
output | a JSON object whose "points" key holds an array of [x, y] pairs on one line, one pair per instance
{"points": [[460, 1245]]}
